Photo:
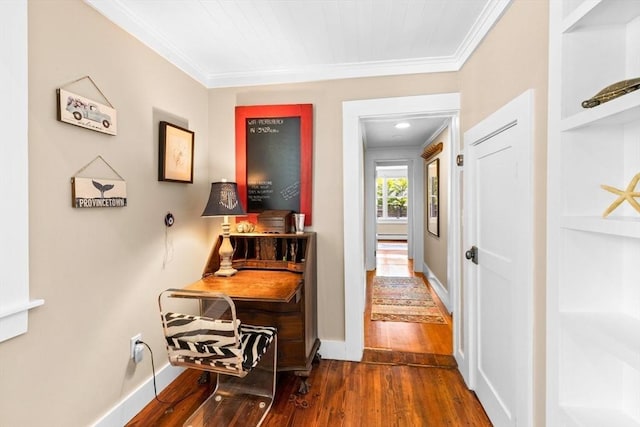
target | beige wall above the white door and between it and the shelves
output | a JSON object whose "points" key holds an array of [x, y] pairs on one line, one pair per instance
{"points": [[512, 59]]}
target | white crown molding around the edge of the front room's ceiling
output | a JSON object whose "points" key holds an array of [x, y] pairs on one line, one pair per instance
{"points": [[119, 13]]}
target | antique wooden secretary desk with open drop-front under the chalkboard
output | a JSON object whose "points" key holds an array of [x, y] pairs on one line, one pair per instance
{"points": [[275, 286]]}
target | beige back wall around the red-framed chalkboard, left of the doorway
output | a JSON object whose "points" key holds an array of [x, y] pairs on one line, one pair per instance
{"points": [[327, 98]]}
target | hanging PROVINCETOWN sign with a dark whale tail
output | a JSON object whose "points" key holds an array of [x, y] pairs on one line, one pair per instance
{"points": [[92, 192]]}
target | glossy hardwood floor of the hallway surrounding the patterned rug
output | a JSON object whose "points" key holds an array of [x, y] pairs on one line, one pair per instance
{"points": [[427, 338]]}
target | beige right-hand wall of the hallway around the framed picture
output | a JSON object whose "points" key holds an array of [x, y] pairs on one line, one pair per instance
{"points": [[435, 247]]}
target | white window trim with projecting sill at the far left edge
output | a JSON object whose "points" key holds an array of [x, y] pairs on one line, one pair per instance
{"points": [[14, 163]]}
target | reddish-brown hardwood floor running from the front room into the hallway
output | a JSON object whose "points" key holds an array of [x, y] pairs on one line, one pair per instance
{"points": [[408, 378]]}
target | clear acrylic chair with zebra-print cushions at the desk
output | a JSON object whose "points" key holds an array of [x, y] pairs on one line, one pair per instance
{"points": [[202, 332]]}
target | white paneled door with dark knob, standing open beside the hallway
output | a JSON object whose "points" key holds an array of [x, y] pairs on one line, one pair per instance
{"points": [[498, 275]]}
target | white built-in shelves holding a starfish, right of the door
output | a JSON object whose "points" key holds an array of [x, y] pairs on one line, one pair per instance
{"points": [[593, 283]]}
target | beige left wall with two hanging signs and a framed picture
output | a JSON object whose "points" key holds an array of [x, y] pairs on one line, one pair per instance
{"points": [[99, 270]]}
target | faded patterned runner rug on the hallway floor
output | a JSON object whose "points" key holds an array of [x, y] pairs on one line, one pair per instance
{"points": [[403, 299]]}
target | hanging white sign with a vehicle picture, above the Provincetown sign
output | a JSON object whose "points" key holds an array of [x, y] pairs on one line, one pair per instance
{"points": [[84, 112]]}
